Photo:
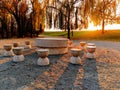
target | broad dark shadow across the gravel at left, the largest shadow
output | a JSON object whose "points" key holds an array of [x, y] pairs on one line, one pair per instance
{"points": [[15, 75]]}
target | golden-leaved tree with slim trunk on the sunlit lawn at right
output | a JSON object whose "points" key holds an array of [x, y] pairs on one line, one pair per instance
{"points": [[103, 12]]}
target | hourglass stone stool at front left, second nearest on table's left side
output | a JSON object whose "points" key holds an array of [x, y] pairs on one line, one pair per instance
{"points": [[18, 51]]}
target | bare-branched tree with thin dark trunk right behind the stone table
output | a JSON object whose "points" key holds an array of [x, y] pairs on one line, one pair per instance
{"points": [[66, 9]]}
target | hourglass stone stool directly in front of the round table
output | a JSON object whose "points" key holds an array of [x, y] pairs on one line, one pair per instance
{"points": [[43, 59]]}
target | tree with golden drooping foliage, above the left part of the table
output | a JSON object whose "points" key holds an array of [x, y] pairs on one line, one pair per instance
{"points": [[37, 15]]}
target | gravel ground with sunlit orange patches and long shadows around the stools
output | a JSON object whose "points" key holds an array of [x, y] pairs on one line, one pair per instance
{"points": [[102, 73]]}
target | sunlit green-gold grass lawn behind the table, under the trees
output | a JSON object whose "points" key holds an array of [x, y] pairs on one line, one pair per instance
{"points": [[109, 35]]}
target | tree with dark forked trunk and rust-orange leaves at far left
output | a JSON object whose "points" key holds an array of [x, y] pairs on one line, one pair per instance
{"points": [[17, 8]]}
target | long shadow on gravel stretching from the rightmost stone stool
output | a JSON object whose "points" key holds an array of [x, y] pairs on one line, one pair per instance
{"points": [[90, 79]]}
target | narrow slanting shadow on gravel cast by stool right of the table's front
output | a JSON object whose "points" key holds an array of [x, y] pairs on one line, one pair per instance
{"points": [[67, 79]]}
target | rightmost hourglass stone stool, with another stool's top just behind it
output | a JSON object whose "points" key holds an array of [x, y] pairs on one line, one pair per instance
{"points": [[91, 51]]}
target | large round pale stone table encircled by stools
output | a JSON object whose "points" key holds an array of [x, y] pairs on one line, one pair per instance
{"points": [[55, 45]]}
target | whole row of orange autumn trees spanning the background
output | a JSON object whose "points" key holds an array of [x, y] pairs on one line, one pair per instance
{"points": [[23, 18]]}
